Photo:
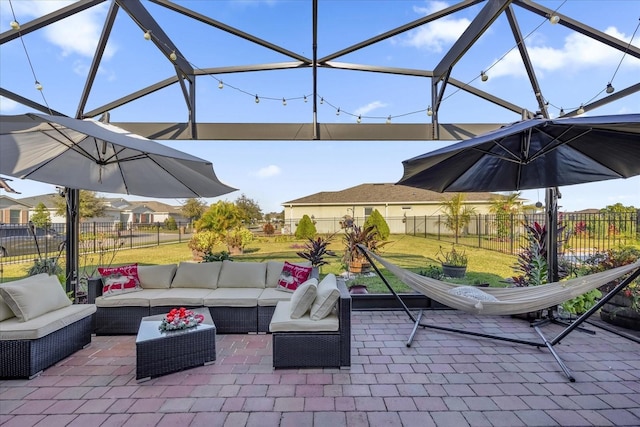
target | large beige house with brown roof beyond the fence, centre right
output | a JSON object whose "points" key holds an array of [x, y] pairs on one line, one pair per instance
{"points": [[394, 202]]}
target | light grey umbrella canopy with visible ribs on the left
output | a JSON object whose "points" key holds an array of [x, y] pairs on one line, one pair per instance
{"points": [[96, 156]]}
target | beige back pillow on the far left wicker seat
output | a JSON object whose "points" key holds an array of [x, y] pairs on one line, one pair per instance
{"points": [[34, 296]]}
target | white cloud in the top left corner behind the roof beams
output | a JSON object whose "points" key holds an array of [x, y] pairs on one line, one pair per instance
{"points": [[77, 34]]}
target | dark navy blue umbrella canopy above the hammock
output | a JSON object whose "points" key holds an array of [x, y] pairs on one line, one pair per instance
{"points": [[535, 153]]}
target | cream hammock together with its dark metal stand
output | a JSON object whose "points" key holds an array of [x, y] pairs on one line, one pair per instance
{"points": [[508, 300]]}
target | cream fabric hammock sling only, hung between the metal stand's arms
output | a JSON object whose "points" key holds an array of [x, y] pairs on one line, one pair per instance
{"points": [[509, 300]]}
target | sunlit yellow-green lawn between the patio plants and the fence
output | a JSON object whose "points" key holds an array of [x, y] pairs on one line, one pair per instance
{"points": [[411, 252]]}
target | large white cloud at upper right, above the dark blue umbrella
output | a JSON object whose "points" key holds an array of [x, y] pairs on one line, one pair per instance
{"points": [[577, 53]]}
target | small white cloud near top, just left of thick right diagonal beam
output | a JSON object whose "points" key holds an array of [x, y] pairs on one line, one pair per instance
{"points": [[434, 36]]}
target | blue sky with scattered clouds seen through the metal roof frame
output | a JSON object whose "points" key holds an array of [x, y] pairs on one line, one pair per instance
{"points": [[571, 69]]}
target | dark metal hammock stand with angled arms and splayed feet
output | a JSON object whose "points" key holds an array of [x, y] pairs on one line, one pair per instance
{"points": [[549, 344]]}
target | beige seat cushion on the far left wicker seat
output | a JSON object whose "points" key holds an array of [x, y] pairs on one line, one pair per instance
{"points": [[14, 329]]}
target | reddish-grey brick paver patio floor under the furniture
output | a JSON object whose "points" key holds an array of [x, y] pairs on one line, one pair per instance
{"points": [[443, 379]]}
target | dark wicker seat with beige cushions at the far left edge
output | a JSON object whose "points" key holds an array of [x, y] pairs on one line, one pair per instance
{"points": [[39, 326]]}
